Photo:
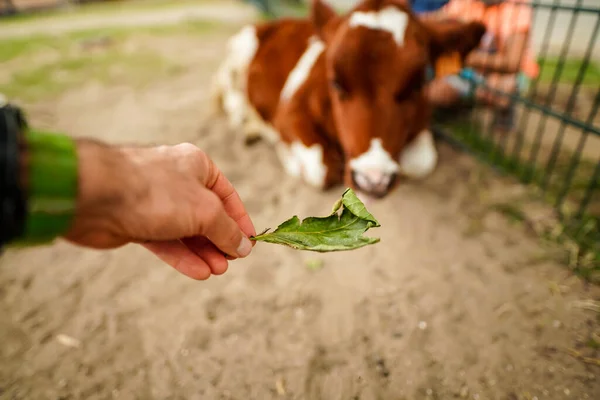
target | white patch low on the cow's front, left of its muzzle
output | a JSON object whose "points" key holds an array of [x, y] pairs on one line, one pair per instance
{"points": [[301, 161]]}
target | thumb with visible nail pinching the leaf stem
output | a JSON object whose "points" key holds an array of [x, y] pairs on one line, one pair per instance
{"points": [[221, 229]]}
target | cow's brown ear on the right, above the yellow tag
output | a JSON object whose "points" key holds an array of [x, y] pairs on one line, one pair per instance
{"points": [[451, 36]]}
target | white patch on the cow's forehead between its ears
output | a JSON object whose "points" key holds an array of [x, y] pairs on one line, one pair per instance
{"points": [[389, 19]]}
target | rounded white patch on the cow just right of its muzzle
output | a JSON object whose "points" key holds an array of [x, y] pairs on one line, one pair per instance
{"points": [[419, 158]]}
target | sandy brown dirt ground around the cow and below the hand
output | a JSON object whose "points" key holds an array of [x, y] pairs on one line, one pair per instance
{"points": [[453, 303]]}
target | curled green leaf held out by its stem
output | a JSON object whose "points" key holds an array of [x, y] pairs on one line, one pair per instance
{"points": [[337, 232]]}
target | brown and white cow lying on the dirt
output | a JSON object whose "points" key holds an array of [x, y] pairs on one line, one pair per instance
{"points": [[342, 97]]}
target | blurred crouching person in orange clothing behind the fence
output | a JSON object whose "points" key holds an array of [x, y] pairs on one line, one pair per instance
{"points": [[504, 60]]}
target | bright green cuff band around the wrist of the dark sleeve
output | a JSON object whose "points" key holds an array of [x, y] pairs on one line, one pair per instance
{"points": [[51, 189]]}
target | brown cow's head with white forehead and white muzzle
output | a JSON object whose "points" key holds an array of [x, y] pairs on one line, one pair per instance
{"points": [[376, 57]]}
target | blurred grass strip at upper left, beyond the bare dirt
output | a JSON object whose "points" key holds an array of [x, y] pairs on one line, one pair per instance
{"points": [[43, 66]]}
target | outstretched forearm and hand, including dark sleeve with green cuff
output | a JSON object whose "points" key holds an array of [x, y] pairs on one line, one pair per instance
{"points": [[173, 200]]}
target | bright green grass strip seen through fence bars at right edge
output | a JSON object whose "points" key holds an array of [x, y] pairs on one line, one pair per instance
{"points": [[570, 71]]}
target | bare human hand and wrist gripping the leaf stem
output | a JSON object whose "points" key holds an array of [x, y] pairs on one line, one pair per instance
{"points": [[173, 200]]}
